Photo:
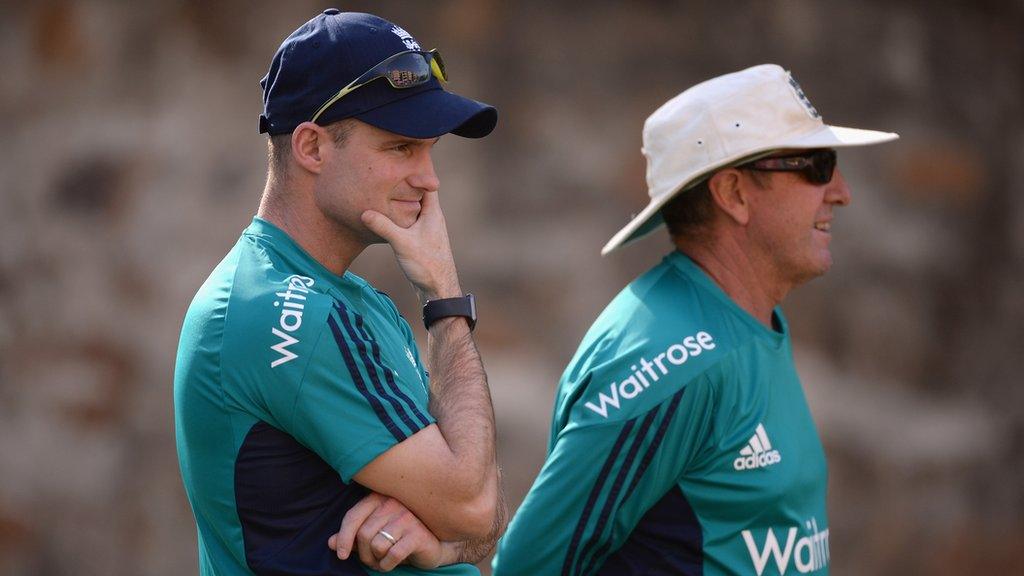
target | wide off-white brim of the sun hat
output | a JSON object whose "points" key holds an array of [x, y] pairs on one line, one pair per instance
{"points": [[650, 219]]}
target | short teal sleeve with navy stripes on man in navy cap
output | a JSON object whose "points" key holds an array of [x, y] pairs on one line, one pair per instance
{"points": [[355, 403]]}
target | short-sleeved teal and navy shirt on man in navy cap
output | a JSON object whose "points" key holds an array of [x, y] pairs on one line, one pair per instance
{"points": [[289, 380]]}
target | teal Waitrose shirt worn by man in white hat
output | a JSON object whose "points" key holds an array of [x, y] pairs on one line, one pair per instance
{"points": [[681, 443]]}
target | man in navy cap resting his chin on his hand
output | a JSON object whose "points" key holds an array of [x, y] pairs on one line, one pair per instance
{"points": [[301, 398]]}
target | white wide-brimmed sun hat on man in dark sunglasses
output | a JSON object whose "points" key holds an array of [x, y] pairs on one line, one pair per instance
{"points": [[722, 122]]}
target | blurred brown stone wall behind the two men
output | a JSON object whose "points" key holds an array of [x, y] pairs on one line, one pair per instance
{"points": [[131, 162]]}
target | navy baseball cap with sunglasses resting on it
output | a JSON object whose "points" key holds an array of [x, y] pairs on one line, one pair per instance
{"points": [[334, 49]]}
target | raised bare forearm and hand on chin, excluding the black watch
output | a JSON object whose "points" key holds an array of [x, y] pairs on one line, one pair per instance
{"points": [[454, 488]]}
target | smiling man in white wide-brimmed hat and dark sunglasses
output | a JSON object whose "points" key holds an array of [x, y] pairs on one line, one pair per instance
{"points": [[681, 441]]}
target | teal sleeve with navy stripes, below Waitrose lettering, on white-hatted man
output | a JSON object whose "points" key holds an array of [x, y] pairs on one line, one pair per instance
{"points": [[600, 481]]}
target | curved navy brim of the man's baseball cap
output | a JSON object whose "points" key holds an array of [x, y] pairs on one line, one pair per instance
{"points": [[434, 113]]}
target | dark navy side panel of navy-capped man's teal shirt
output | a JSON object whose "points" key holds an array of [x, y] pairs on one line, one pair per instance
{"points": [[290, 502]]}
